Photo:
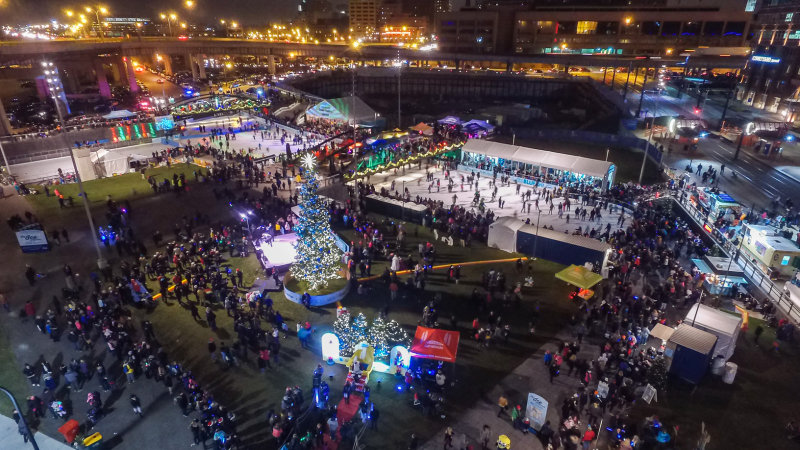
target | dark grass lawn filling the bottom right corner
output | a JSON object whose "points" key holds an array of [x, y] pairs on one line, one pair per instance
{"points": [[751, 412]]}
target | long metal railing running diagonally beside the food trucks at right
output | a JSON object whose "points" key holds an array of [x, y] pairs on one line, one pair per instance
{"points": [[753, 273]]}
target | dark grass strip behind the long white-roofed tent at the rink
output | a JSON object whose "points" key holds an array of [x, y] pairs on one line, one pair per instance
{"points": [[628, 161]]}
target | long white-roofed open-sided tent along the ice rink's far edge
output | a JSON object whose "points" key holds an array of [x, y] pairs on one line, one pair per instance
{"points": [[535, 167]]}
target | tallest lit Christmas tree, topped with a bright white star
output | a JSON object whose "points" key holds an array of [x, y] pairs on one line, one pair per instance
{"points": [[318, 257]]}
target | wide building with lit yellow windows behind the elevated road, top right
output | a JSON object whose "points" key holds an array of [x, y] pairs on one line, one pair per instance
{"points": [[646, 27]]}
